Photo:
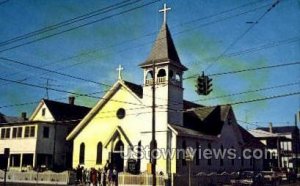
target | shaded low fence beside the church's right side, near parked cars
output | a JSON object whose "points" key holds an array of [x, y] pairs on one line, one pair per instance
{"points": [[203, 179]]}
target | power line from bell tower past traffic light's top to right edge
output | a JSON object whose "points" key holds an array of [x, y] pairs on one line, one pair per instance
{"points": [[249, 69]]}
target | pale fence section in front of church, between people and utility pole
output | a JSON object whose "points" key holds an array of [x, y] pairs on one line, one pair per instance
{"points": [[125, 179]]}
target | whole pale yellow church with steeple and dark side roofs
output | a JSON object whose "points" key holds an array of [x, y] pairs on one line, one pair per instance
{"points": [[118, 129]]}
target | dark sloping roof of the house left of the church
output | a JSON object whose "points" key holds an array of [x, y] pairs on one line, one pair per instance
{"points": [[64, 111]]}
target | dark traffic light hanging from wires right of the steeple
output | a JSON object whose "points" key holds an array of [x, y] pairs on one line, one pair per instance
{"points": [[204, 85]]}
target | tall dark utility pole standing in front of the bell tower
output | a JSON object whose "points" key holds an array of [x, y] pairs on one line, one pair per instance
{"points": [[153, 144]]}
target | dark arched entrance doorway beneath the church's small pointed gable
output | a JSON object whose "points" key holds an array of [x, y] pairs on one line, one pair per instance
{"points": [[117, 156]]}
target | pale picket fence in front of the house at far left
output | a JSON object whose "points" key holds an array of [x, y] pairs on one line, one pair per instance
{"points": [[47, 177]]}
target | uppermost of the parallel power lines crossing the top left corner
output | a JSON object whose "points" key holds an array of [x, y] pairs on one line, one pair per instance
{"points": [[65, 23]]}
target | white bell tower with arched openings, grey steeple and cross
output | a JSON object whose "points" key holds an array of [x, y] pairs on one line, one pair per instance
{"points": [[168, 77]]}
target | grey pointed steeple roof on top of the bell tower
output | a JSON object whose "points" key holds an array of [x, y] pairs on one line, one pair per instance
{"points": [[163, 50]]}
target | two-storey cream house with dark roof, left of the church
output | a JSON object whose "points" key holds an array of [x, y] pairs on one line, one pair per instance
{"points": [[40, 141]]}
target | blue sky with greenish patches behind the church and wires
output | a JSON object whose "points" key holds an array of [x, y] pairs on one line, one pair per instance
{"points": [[202, 30]]}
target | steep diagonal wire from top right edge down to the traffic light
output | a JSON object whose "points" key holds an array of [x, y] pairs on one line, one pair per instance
{"points": [[244, 33]]}
